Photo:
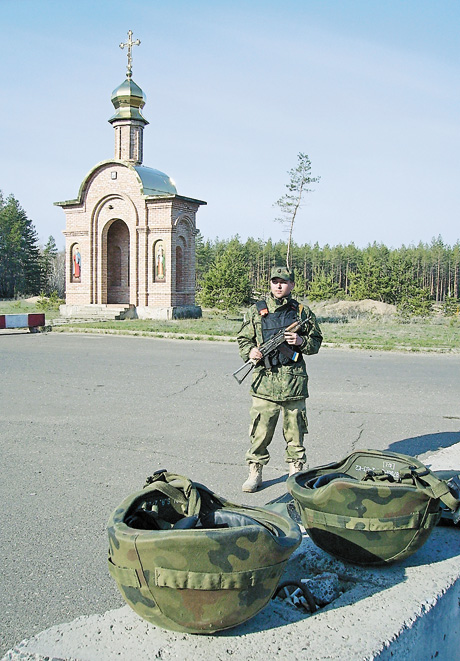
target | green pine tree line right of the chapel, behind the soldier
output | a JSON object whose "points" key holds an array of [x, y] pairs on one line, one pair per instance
{"points": [[415, 276]]}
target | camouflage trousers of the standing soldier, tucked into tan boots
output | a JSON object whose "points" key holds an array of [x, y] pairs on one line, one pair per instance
{"points": [[264, 416]]}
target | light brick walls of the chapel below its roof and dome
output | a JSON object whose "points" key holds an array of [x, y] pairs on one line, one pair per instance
{"points": [[113, 214]]}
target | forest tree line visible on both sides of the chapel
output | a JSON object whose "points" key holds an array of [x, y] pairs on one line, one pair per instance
{"points": [[231, 273]]}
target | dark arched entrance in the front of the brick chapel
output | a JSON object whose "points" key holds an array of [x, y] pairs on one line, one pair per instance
{"points": [[118, 263]]}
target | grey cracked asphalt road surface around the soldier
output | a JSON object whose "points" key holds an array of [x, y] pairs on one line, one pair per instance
{"points": [[85, 419]]}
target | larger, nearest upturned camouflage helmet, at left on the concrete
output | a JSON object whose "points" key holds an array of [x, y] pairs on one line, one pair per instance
{"points": [[187, 560]]}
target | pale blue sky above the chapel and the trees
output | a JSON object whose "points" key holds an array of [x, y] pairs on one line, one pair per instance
{"points": [[369, 89]]}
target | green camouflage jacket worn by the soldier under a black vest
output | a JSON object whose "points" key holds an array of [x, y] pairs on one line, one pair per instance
{"points": [[282, 382]]}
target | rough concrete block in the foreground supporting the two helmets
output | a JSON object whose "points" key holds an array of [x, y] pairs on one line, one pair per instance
{"points": [[407, 611]]}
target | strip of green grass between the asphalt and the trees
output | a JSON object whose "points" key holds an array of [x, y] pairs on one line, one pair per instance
{"points": [[370, 332]]}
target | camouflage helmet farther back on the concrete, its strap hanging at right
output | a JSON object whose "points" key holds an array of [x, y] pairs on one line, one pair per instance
{"points": [[372, 507]]}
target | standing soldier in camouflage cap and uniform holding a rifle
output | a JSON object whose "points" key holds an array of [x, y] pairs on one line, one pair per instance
{"points": [[282, 382]]}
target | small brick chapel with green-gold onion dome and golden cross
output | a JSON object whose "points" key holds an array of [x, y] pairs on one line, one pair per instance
{"points": [[130, 236]]}
